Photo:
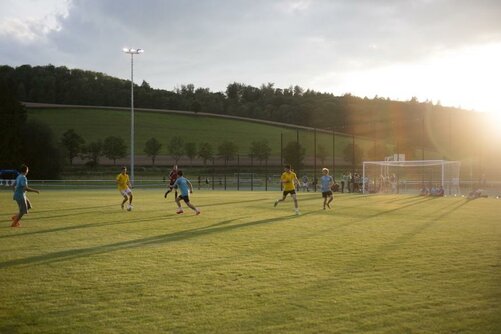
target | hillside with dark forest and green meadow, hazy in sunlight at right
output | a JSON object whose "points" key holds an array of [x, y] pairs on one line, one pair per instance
{"points": [[421, 130]]}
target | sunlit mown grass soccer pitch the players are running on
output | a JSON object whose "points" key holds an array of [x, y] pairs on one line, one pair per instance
{"points": [[376, 264]]}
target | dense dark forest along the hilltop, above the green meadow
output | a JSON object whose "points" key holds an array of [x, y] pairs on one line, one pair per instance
{"points": [[378, 118]]}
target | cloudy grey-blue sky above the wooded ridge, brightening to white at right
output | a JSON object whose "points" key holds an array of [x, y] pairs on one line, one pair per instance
{"points": [[444, 51]]}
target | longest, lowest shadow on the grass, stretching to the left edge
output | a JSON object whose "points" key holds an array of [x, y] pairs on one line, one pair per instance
{"points": [[220, 227]]}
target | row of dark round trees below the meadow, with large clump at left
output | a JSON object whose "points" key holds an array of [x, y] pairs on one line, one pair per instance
{"points": [[32, 142]]}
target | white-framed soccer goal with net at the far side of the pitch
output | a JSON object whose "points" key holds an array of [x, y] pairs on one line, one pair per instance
{"points": [[425, 177]]}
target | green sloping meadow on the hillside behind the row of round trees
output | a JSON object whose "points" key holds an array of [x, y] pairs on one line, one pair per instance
{"points": [[95, 124]]}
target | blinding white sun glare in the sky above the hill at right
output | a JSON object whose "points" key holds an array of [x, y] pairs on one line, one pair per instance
{"points": [[466, 78]]}
